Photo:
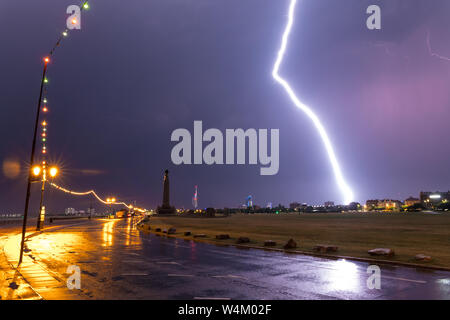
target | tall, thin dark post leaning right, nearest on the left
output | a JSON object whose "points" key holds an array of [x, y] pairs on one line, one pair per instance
{"points": [[33, 148]]}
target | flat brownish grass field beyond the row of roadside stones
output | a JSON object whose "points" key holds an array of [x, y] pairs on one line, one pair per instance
{"points": [[354, 233]]}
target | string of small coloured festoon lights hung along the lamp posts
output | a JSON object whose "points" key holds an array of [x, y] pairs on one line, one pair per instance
{"points": [[44, 125]]}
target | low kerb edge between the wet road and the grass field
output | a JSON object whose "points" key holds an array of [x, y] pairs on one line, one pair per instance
{"points": [[319, 255]]}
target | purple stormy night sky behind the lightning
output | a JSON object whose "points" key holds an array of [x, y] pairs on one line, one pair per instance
{"points": [[140, 69]]}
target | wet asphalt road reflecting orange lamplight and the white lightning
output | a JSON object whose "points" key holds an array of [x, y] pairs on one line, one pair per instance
{"points": [[119, 262]]}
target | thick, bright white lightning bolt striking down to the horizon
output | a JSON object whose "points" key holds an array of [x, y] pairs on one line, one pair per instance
{"points": [[343, 186]]}
